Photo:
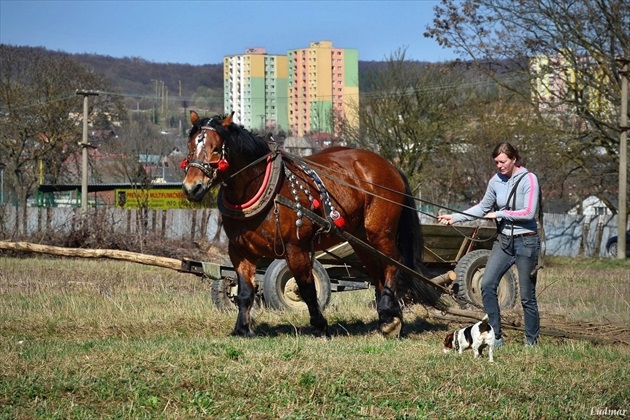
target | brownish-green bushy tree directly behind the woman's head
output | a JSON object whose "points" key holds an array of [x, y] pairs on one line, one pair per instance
{"points": [[459, 179]]}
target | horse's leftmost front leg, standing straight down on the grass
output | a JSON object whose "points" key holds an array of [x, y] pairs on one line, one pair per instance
{"points": [[246, 274]]}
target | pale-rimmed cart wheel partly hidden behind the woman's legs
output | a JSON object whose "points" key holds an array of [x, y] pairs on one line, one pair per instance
{"points": [[467, 285]]}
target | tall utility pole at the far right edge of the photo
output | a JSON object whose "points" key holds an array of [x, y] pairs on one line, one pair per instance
{"points": [[623, 160]]}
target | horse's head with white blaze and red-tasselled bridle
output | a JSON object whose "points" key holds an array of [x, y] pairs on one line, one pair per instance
{"points": [[207, 161]]}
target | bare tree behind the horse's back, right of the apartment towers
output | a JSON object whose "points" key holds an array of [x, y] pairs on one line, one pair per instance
{"points": [[408, 112]]}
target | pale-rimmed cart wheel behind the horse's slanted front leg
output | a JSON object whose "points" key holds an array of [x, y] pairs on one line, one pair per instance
{"points": [[280, 290]]}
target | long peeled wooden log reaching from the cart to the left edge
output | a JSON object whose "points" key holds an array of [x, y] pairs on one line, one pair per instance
{"points": [[113, 254]]}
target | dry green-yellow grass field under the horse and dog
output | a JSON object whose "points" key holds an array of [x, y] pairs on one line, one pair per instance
{"points": [[92, 339]]}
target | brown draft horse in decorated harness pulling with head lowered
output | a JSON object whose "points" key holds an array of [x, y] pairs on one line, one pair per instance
{"points": [[357, 190]]}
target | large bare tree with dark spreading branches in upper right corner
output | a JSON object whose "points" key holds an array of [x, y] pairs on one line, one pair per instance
{"points": [[578, 42]]}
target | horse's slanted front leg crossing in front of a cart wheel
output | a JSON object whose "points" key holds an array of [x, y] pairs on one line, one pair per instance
{"points": [[299, 263]]}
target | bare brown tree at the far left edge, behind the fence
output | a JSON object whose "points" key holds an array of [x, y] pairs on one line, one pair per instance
{"points": [[41, 115]]}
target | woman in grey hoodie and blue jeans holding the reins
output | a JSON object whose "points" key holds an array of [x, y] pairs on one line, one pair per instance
{"points": [[511, 198]]}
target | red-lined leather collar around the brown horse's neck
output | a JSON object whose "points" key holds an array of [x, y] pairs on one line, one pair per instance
{"points": [[263, 197]]}
